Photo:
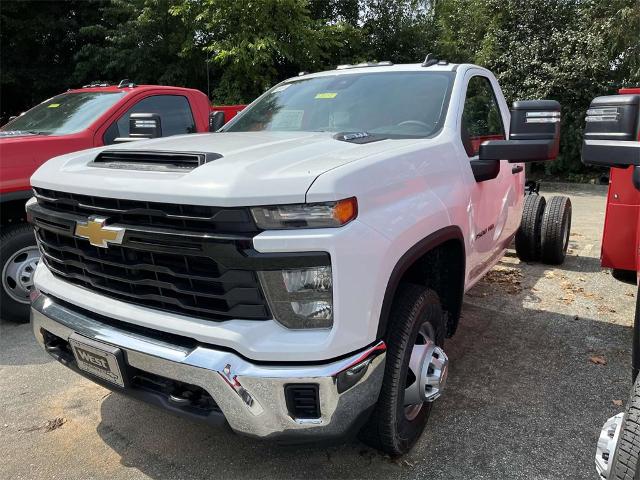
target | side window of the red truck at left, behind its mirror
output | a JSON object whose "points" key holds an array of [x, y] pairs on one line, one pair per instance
{"points": [[175, 115]]}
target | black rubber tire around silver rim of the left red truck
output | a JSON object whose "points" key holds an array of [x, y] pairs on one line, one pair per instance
{"points": [[14, 239]]}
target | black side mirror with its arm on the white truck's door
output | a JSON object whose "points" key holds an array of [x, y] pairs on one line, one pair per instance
{"points": [[534, 134]]}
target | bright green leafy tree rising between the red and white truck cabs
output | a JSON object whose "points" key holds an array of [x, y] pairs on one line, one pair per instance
{"points": [[255, 43]]}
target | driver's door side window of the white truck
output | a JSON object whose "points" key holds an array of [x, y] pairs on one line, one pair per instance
{"points": [[481, 119]]}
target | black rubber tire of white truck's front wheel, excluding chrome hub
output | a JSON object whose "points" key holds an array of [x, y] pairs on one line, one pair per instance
{"points": [[388, 428]]}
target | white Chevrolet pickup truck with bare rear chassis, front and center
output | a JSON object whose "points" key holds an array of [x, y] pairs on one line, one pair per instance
{"points": [[295, 275]]}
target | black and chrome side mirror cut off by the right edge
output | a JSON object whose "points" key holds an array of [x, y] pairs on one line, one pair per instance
{"points": [[611, 136]]}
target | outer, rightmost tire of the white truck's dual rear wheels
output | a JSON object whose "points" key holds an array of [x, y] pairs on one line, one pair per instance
{"points": [[556, 228]]}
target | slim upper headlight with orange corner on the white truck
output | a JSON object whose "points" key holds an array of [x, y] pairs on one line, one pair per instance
{"points": [[306, 215]]}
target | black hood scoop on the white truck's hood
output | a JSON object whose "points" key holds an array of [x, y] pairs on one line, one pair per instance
{"points": [[153, 160]]}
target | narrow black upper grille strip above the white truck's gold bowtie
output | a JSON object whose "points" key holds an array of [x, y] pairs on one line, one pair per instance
{"points": [[195, 218]]}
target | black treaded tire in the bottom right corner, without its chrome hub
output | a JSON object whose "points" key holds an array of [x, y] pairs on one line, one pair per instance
{"points": [[625, 464]]}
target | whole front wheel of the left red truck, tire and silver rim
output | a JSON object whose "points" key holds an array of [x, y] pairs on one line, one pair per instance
{"points": [[19, 257]]}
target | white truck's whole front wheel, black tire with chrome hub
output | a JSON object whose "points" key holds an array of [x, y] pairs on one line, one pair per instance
{"points": [[415, 371]]}
